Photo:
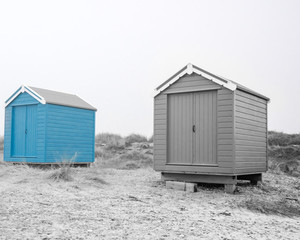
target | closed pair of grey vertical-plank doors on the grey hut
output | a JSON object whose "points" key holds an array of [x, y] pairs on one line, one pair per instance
{"points": [[192, 128]]}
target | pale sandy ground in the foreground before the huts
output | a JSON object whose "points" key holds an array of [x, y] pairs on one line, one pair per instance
{"points": [[125, 204]]}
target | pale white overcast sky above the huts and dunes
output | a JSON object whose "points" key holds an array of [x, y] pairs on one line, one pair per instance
{"points": [[114, 53]]}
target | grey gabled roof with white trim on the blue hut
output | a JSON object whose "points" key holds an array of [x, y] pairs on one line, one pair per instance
{"points": [[52, 97]]}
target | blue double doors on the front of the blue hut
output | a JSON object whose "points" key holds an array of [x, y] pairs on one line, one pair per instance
{"points": [[24, 131]]}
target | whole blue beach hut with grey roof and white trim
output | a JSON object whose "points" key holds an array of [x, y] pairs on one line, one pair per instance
{"points": [[44, 126]]}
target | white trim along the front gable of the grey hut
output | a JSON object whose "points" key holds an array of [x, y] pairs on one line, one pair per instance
{"points": [[191, 69]]}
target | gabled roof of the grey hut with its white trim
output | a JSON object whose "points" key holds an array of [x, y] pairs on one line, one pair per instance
{"points": [[190, 68]]}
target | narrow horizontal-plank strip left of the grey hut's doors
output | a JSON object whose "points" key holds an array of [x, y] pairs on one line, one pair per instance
{"points": [[160, 132]]}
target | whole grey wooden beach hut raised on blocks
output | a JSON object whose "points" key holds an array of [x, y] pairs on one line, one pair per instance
{"points": [[209, 129]]}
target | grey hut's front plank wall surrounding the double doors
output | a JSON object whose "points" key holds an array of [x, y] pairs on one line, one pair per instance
{"points": [[225, 137]]}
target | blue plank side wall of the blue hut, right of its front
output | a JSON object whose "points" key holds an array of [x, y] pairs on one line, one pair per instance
{"points": [[70, 132]]}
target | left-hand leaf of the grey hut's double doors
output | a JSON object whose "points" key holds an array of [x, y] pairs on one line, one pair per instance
{"points": [[180, 123]]}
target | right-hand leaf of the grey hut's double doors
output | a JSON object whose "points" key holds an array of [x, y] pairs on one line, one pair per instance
{"points": [[205, 121]]}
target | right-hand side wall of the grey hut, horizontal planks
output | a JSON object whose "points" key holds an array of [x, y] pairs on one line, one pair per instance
{"points": [[250, 133]]}
